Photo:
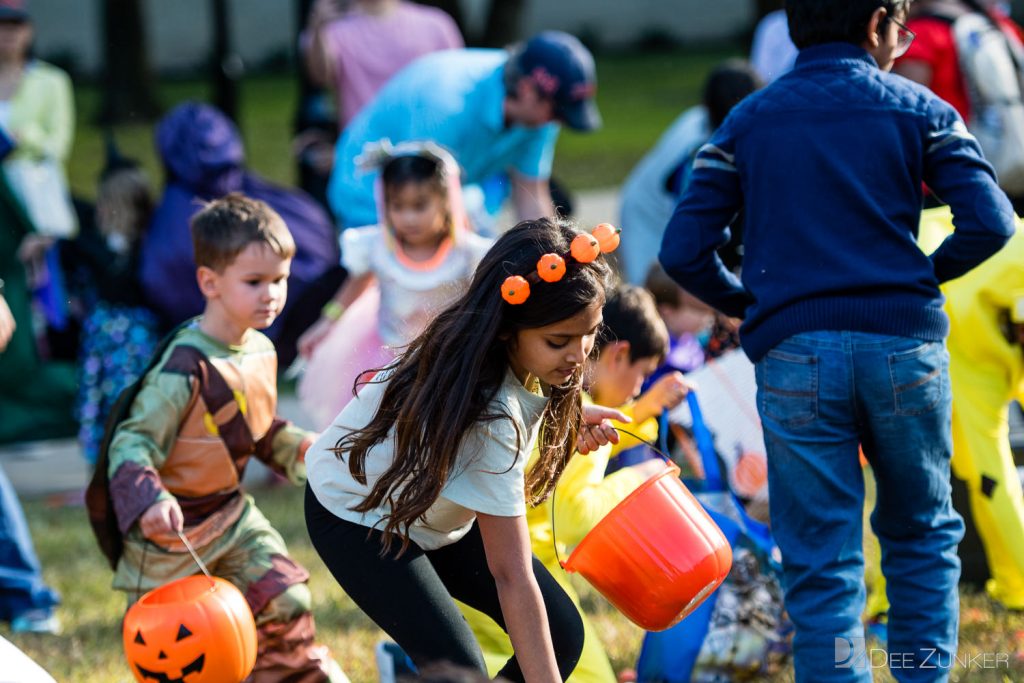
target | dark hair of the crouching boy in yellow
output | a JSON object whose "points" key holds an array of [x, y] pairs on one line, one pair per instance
{"points": [[631, 316]]}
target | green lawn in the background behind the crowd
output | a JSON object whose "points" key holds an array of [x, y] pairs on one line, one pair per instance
{"points": [[639, 96]]}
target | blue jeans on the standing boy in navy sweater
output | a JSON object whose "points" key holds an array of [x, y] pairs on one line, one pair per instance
{"points": [[821, 396]]}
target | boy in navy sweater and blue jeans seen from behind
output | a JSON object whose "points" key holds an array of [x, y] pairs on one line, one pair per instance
{"points": [[843, 317]]}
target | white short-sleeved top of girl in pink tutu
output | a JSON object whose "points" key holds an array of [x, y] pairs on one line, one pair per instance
{"points": [[410, 300]]}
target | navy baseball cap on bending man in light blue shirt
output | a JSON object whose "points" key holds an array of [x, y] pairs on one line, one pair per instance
{"points": [[564, 70]]}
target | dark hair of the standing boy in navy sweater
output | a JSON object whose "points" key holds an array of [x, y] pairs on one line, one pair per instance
{"points": [[817, 22]]}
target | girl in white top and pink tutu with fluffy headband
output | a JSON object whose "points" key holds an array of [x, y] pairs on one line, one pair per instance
{"points": [[402, 273]]}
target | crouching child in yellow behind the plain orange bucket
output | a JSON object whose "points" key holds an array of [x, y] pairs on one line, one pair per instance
{"points": [[633, 345]]}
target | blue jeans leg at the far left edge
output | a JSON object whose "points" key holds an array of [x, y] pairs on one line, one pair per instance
{"points": [[22, 586]]}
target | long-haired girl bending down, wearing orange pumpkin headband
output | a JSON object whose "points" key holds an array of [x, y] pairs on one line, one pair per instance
{"points": [[418, 491]]}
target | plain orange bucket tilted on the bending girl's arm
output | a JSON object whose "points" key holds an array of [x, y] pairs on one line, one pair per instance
{"points": [[657, 556]]}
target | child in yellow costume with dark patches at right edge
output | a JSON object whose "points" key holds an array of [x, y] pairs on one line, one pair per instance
{"points": [[987, 372]]}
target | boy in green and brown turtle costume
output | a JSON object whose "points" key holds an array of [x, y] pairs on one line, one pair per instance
{"points": [[176, 461]]}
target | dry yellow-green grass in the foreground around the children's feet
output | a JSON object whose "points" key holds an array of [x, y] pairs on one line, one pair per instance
{"points": [[90, 651]]}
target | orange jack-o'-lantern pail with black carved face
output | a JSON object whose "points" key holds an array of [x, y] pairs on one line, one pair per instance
{"points": [[193, 630]]}
